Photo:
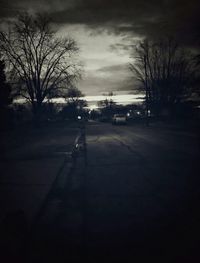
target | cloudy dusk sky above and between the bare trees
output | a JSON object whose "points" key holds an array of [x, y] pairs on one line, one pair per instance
{"points": [[106, 32]]}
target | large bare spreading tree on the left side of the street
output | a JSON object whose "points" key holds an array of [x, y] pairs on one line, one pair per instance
{"points": [[43, 63]]}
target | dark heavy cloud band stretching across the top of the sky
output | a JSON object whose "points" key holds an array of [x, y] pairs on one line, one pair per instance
{"points": [[151, 18]]}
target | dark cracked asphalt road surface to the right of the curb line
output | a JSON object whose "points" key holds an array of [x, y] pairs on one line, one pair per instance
{"points": [[137, 199]]}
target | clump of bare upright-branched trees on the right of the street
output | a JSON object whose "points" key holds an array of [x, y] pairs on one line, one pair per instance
{"points": [[165, 71]]}
